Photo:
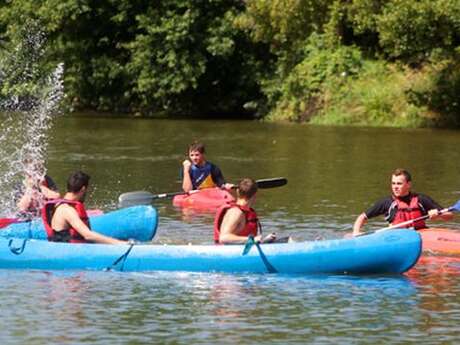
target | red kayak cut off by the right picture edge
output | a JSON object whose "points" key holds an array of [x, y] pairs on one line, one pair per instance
{"points": [[441, 241]]}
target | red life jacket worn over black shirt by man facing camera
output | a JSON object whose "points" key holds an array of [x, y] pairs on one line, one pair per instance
{"points": [[401, 212]]}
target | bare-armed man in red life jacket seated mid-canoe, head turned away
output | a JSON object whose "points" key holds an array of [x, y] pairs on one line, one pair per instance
{"points": [[236, 221]]}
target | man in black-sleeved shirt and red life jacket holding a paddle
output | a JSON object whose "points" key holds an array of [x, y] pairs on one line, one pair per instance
{"points": [[403, 205]]}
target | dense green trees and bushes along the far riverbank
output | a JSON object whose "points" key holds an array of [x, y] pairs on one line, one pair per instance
{"points": [[366, 62]]}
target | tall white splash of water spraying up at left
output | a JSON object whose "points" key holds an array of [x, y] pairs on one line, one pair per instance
{"points": [[30, 98]]}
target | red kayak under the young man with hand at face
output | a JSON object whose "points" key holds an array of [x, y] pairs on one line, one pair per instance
{"points": [[208, 199]]}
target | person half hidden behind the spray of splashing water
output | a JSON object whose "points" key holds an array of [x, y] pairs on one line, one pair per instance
{"points": [[32, 194]]}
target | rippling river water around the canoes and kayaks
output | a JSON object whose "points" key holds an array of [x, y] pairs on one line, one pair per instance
{"points": [[333, 173]]}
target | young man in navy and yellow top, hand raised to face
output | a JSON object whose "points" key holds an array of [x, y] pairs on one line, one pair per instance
{"points": [[198, 173]]}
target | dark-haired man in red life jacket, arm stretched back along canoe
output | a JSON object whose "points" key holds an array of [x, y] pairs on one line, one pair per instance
{"points": [[66, 220]]}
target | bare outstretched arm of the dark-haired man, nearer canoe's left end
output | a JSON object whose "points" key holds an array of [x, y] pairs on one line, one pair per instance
{"points": [[70, 216]]}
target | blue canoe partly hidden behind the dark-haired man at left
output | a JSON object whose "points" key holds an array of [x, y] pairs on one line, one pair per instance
{"points": [[137, 222]]}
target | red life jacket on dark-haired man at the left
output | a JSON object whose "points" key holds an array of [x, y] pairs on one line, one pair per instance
{"points": [[70, 235]]}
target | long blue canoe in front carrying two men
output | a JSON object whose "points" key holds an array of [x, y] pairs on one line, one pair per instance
{"points": [[387, 252]]}
